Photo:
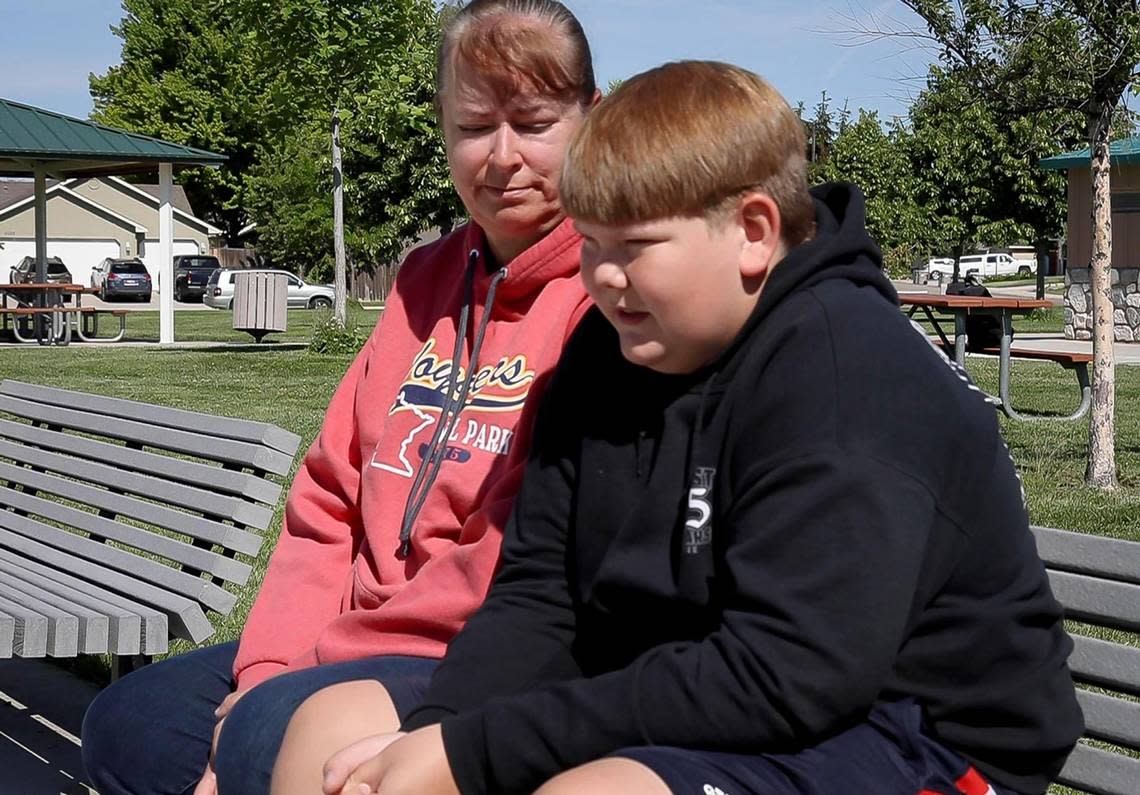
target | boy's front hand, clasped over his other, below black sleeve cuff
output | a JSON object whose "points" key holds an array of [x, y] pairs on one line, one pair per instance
{"points": [[414, 765]]}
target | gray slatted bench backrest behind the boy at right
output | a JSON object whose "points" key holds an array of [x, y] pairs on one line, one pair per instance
{"points": [[1097, 580]]}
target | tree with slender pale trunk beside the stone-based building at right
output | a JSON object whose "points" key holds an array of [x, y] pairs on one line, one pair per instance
{"points": [[1063, 55]]}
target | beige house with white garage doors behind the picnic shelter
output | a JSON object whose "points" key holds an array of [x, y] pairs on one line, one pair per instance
{"points": [[91, 220]]}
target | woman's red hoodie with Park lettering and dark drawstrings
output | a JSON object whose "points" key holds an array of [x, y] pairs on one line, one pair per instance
{"points": [[337, 587]]}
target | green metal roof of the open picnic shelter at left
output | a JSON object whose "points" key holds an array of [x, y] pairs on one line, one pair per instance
{"points": [[83, 149]]}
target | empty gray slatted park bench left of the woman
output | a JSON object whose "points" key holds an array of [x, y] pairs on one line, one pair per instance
{"points": [[123, 522]]}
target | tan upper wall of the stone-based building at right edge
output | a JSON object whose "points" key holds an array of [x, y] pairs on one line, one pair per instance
{"points": [[1126, 225]]}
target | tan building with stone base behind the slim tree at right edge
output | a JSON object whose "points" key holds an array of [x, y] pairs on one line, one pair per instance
{"points": [[1125, 164]]}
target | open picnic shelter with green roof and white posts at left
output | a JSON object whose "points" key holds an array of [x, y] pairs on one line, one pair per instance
{"points": [[43, 144]]}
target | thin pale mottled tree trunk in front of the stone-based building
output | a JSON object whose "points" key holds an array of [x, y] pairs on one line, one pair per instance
{"points": [[1102, 470]]}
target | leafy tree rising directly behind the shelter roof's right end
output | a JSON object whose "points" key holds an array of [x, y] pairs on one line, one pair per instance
{"points": [[188, 76]]}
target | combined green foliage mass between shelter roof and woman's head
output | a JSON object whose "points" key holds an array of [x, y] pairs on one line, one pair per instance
{"points": [[258, 80]]}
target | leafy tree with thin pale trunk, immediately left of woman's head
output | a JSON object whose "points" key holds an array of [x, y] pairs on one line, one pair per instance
{"points": [[394, 167]]}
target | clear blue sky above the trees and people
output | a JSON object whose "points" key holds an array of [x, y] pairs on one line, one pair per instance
{"points": [[50, 47]]}
